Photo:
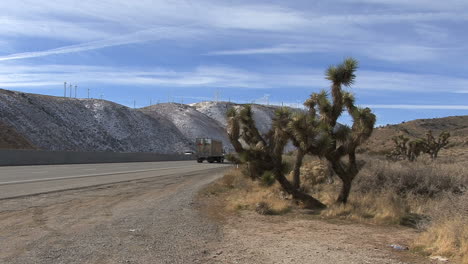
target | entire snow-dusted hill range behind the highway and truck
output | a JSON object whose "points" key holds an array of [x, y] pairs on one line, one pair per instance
{"points": [[57, 123]]}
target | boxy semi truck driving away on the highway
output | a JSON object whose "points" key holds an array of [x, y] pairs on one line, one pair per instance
{"points": [[210, 150]]}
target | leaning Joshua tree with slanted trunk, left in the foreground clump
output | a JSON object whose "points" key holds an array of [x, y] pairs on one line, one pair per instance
{"points": [[264, 153]]}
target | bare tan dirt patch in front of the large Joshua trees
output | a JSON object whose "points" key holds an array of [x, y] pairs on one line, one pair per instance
{"points": [[301, 237]]}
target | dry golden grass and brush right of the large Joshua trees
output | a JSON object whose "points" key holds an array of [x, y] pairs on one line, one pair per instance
{"points": [[430, 196]]}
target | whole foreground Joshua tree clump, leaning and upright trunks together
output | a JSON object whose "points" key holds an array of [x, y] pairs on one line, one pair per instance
{"points": [[312, 133]]}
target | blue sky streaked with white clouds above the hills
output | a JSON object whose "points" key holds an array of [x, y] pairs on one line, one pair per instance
{"points": [[412, 54]]}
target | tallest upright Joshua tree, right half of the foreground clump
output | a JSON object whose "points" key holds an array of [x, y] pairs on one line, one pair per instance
{"points": [[335, 141]]}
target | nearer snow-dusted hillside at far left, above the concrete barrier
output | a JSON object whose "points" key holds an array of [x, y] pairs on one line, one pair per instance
{"points": [[55, 123]]}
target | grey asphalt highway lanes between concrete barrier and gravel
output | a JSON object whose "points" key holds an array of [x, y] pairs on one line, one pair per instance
{"points": [[18, 181]]}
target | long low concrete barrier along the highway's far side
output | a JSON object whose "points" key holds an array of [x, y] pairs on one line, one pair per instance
{"points": [[42, 157]]}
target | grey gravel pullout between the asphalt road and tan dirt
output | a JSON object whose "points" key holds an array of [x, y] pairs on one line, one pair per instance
{"points": [[146, 221]]}
